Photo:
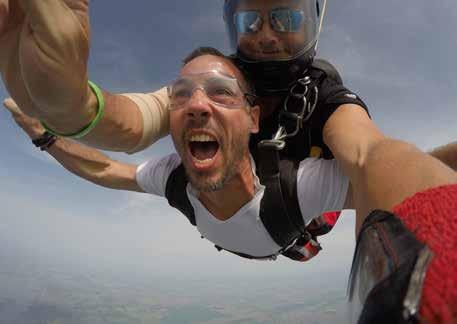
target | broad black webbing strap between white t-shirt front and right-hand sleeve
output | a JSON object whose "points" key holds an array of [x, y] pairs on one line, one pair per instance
{"points": [[275, 211]]}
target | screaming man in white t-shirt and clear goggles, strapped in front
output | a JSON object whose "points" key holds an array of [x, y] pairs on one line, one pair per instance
{"points": [[213, 179]]}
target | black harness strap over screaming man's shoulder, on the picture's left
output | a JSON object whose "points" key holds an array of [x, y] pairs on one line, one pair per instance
{"points": [[176, 194]]}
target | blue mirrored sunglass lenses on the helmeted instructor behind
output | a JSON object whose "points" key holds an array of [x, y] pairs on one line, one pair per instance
{"points": [[283, 20]]}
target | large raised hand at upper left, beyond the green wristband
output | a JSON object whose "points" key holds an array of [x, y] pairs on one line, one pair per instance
{"points": [[44, 47]]}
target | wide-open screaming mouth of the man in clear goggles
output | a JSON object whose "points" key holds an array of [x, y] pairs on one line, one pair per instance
{"points": [[203, 148]]}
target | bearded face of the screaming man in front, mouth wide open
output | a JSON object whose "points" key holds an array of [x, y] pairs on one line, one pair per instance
{"points": [[211, 139]]}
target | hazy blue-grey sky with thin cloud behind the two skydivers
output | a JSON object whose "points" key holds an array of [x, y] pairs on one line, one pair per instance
{"points": [[399, 56]]}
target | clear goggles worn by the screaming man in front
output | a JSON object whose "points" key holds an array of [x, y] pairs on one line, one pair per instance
{"points": [[221, 89]]}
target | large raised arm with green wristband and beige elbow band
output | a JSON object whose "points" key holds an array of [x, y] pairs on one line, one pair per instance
{"points": [[44, 48]]}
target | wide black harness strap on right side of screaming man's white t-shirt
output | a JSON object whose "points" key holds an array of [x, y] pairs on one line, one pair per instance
{"points": [[279, 209]]}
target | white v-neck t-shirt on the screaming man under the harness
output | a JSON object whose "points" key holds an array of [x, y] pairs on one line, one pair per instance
{"points": [[321, 187]]}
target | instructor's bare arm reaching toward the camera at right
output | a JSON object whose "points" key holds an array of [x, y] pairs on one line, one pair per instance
{"points": [[383, 171]]}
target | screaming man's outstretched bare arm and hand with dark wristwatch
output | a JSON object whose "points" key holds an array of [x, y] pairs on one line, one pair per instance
{"points": [[85, 162]]}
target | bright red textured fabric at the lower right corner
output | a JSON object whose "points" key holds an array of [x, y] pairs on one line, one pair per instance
{"points": [[432, 216]]}
